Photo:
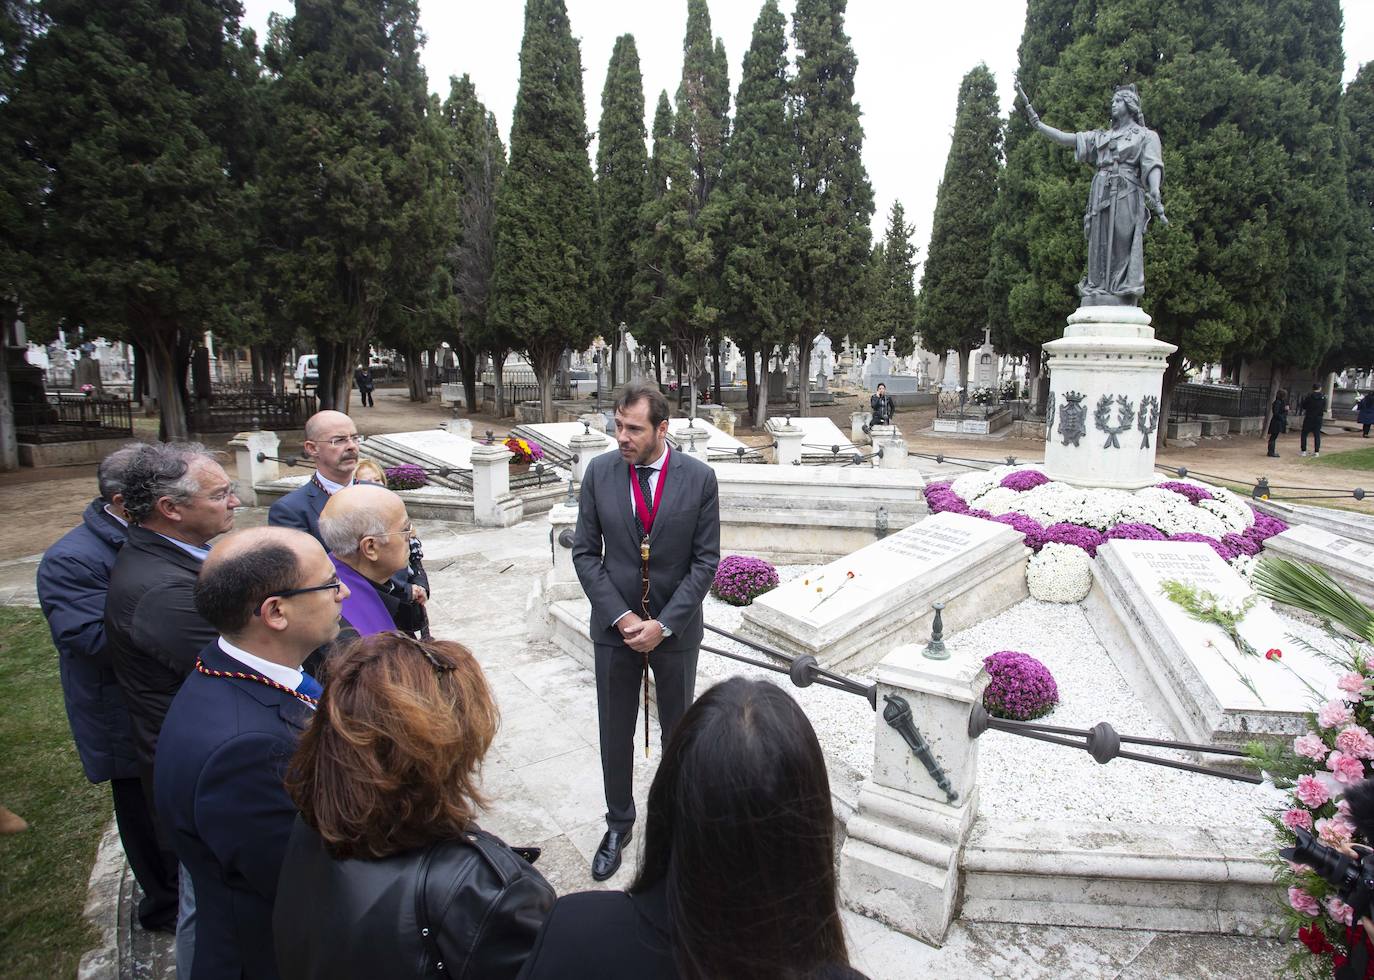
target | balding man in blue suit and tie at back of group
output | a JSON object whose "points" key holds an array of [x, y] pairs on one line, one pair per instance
{"points": [[333, 442]]}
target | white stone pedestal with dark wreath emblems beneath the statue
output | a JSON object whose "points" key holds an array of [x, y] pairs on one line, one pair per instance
{"points": [[1105, 376]]}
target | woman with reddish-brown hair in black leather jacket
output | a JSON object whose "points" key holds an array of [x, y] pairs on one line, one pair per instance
{"points": [[387, 873]]}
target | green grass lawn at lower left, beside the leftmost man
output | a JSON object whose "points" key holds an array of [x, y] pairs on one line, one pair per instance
{"points": [[43, 871]]}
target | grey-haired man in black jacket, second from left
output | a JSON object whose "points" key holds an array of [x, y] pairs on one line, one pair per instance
{"points": [[177, 498]]}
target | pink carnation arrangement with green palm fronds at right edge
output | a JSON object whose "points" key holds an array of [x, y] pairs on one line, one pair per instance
{"points": [[1320, 765]]}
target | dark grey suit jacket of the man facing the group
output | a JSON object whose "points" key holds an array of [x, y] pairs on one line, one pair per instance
{"points": [[685, 548]]}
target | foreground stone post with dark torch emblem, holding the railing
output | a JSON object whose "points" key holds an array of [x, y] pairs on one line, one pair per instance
{"points": [[901, 860]]}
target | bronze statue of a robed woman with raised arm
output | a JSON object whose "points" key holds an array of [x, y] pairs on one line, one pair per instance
{"points": [[1130, 170]]}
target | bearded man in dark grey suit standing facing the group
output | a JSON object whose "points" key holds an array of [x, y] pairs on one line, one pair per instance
{"points": [[646, 512]]}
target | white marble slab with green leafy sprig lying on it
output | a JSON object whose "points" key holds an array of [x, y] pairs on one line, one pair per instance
{"points": [[1191, 671]]}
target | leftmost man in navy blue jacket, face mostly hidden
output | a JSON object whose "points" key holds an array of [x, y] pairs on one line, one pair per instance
{"points": [[74, 579]]}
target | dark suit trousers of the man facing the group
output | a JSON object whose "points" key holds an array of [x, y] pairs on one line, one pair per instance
{"points": [[620, 692]]}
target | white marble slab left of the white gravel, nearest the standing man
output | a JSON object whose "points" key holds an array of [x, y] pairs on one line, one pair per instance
{"points": [[975, 567]]}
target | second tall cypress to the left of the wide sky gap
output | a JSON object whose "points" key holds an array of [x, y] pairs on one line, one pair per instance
{"points": [[755, 219]]}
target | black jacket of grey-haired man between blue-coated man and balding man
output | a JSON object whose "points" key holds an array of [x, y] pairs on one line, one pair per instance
{"points": [[153, 630]]}
